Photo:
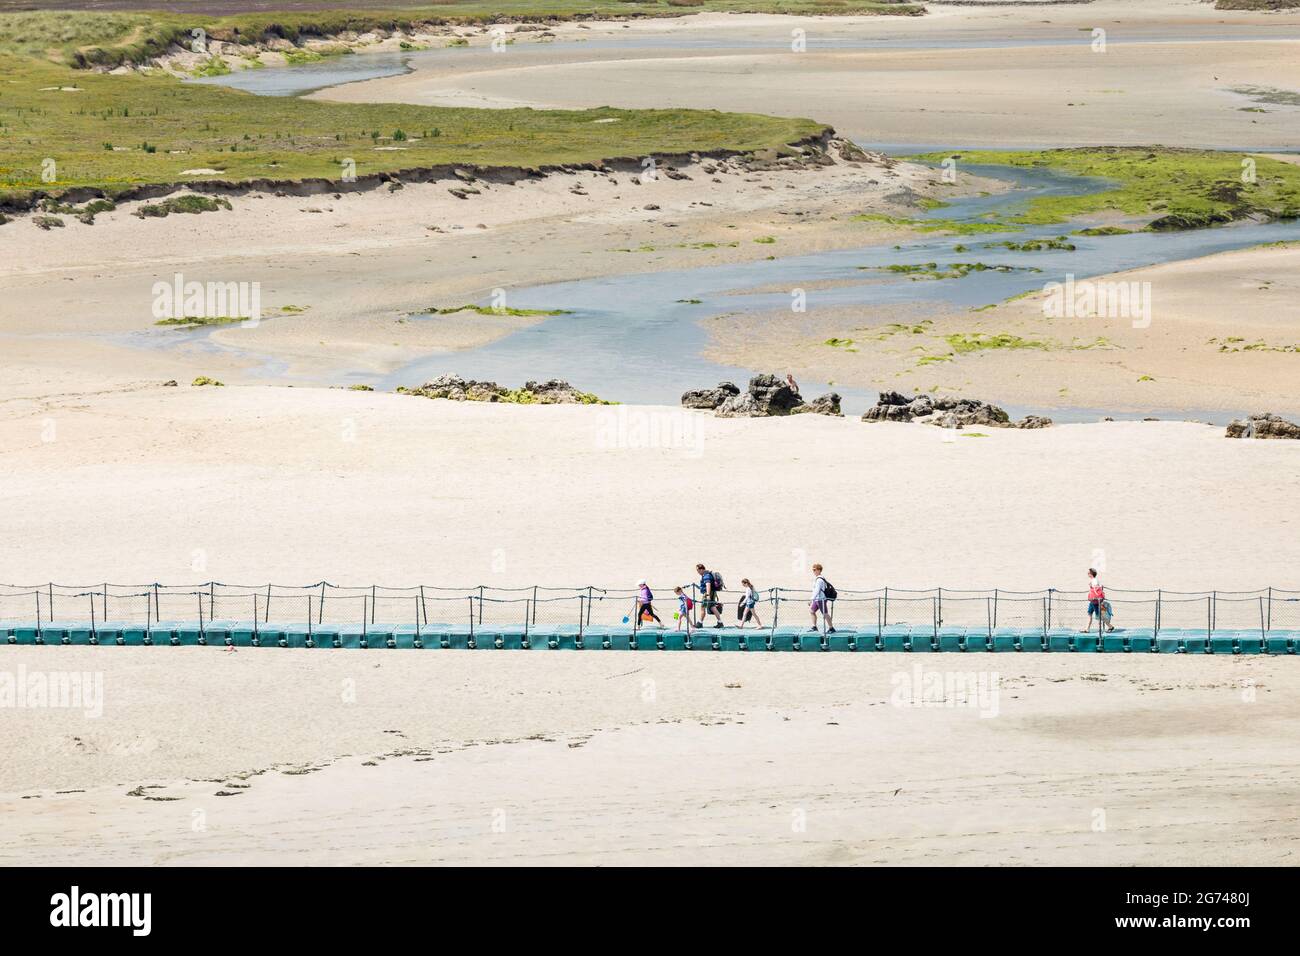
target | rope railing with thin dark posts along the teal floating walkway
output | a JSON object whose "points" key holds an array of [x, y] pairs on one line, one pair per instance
{"points": [[483, 608]]}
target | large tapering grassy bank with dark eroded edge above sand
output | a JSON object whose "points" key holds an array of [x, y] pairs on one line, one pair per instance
{"points": [[118, 132]]}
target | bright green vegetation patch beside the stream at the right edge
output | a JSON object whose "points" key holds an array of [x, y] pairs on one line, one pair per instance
{"points": [[1176, 189]]}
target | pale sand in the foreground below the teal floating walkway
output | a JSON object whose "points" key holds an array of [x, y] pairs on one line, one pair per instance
{"points": [[510, 758]]}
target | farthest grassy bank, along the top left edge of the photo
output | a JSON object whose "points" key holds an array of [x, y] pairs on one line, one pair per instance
{"points": [[132, 32]]}
